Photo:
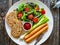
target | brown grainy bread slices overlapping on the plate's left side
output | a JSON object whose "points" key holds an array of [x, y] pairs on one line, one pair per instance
{"points": [[15, 25]]}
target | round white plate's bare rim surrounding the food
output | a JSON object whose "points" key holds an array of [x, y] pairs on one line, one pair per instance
{"points": [[50, 23]]}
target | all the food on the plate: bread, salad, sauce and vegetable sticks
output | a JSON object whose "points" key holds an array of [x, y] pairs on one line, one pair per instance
{"points": [[29, 18]]}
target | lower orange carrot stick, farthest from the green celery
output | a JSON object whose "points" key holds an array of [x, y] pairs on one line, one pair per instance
{"points": [[36, 34]]}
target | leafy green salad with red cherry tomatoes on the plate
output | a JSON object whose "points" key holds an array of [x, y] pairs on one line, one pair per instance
{"points": [[30, 12]]}
